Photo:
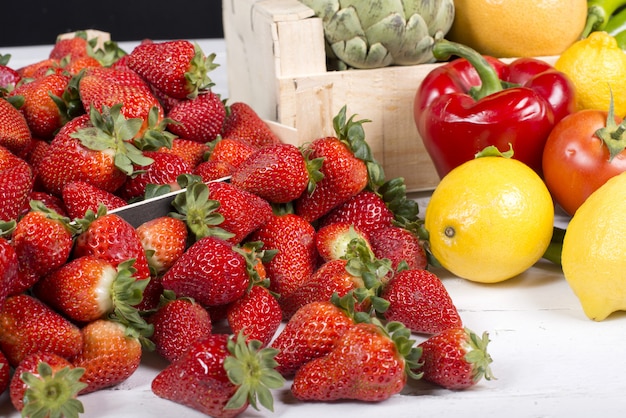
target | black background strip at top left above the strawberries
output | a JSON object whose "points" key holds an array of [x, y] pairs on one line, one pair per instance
{"points": [[37, 22]]}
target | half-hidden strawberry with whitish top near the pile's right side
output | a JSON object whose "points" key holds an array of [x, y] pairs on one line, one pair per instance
{"points": [[334, 240]]}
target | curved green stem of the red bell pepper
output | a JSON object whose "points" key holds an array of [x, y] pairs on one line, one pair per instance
{"points": [[490, 82]]}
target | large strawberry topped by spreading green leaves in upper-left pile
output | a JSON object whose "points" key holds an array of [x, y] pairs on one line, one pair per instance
{"points": [[89, 149]]}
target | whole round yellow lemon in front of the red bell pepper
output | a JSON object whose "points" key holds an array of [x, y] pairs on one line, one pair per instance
{"points": [[489, 219]]}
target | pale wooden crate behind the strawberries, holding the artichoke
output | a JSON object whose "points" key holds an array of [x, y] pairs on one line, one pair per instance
{"points": [[276, 62]]}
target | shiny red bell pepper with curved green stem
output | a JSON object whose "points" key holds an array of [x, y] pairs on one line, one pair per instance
{"points": [[475, 101]]}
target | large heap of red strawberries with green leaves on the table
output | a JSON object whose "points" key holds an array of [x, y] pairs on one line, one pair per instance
{"points": [[311, 237]]}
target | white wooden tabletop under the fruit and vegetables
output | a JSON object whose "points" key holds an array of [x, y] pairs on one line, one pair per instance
{"points": [[549, 359]]}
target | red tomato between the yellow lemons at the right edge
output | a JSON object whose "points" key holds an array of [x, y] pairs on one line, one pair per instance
{"points": [[576, 161]]}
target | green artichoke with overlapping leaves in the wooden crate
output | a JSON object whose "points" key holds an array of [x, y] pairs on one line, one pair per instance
{"points": [[379, 33]]}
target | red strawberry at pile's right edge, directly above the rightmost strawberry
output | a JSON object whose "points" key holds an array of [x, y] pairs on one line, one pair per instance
{"points": [[419, 300]]}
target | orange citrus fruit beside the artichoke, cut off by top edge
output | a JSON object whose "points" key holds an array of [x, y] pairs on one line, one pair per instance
{"points": [[518, 28]]}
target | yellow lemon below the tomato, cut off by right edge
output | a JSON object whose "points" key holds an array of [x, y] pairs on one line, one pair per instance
{"points": [[594, 254]]}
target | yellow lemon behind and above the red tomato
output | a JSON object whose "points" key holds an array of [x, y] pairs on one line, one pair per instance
{"points": [[597, 66]]}
